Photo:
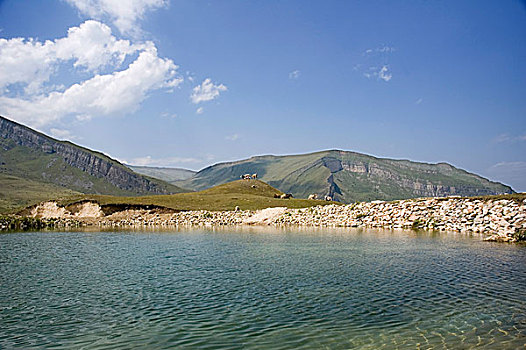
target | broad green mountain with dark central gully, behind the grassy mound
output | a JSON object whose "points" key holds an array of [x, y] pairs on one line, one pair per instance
{"points": [[350, 177]]}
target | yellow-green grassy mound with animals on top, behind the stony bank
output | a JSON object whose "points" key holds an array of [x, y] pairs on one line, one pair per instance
{"points": [[224, 197]]}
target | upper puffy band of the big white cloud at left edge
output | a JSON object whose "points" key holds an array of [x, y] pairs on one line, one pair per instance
{"points": [[90, 45]]}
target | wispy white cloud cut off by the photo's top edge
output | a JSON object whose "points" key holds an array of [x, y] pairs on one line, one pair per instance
{"points": [[125, 14]]}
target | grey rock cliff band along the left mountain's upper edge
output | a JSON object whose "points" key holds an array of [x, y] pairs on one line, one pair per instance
{"points": [[92, 163]]}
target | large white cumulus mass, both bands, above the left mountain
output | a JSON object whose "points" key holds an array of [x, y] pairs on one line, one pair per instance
{"points": [[27, 67]]}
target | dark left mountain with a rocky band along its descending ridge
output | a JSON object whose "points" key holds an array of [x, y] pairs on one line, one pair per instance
{"points": [[29, 157]]}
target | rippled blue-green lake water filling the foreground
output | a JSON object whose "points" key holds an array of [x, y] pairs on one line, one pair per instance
{"points": [[258, 289]]}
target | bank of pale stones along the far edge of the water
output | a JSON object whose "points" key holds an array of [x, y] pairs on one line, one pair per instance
{"points": [[498, 219]]}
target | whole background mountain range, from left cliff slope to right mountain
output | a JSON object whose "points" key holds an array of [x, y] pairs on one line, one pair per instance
{"points": [[346, 176]]}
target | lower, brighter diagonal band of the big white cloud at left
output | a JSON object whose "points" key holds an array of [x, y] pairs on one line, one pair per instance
{"points": [[109, 94]]}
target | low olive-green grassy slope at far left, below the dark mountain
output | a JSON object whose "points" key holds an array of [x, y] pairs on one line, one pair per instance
{"points": [[17, 193]]}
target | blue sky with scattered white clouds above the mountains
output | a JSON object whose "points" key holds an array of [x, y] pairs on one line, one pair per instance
{"points": [[190, 83]]}
